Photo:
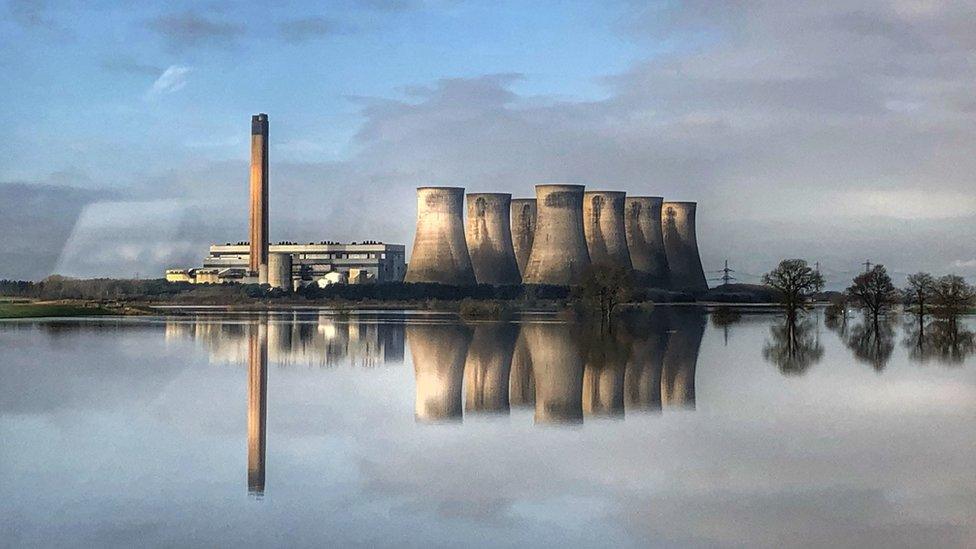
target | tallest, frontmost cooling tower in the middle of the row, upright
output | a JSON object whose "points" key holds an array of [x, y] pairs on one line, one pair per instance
{"points": [[559, 255]]}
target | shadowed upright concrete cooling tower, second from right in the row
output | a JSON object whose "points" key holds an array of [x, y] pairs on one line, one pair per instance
{"points": [[645, 239]]}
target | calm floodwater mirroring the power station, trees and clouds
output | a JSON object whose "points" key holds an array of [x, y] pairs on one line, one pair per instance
{"points": [[310, 428]]}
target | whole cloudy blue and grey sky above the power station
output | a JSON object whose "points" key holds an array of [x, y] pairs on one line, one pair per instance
{"points": [[836, 131]]}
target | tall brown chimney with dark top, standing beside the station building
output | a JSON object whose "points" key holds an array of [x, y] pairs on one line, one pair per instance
{"points": [[259, 196]]}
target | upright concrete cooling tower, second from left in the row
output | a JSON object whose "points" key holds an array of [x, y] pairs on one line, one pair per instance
{"points": [[489, 238]]}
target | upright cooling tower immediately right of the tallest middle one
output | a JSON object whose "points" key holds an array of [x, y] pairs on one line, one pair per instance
{"points": [[603, 225]]}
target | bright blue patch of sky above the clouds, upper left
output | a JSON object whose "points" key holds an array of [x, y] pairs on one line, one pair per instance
{"points": [[85, 75]]}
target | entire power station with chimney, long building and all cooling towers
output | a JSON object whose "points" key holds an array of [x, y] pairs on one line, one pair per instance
{"points": [[552, 239]]}
